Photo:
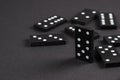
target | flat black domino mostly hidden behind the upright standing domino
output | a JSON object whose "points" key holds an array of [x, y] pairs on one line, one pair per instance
{"points": [[71, 31]]}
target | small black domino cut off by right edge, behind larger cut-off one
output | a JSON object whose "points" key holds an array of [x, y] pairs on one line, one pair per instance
{"points": [[112, 39]]}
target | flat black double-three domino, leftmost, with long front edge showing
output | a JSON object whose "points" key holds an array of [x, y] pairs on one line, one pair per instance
{"points": [[47, 40]]}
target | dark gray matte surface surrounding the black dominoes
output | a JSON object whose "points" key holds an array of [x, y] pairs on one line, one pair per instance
{"points": [[19, 62]]}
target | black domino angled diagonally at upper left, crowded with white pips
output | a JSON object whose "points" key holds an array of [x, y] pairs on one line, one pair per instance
{"points": [[50, 23]]}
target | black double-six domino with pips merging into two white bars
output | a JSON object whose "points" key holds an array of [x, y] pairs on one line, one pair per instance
{"points": [[106, 21]]}
